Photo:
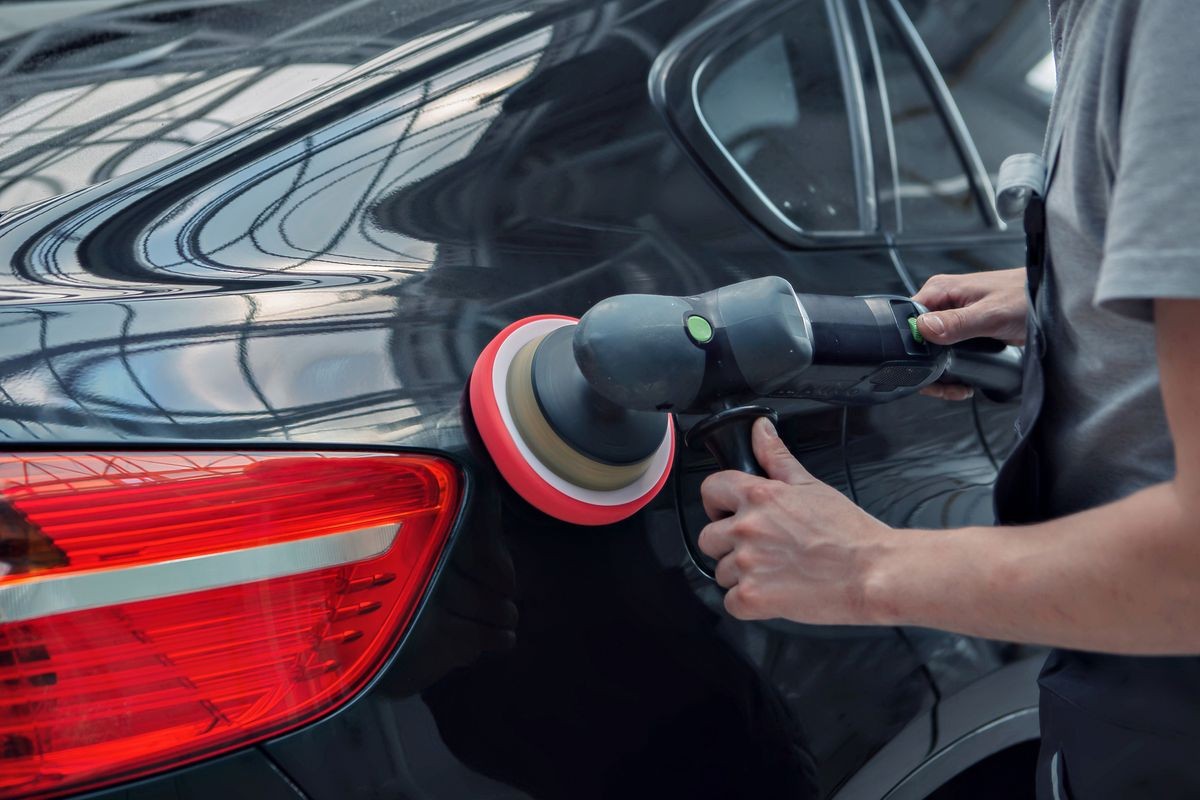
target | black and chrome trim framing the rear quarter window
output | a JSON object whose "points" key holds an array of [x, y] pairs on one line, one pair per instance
{"points": [[673, 87]]}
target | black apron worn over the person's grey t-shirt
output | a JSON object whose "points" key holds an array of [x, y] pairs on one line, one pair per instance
{"points": [[1113, 727]]}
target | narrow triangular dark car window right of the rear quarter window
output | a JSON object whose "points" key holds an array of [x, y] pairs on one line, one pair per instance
{"points": [[934, 191]]}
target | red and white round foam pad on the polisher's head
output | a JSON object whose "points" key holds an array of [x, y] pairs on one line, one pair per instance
{"points": [[533, 480]]}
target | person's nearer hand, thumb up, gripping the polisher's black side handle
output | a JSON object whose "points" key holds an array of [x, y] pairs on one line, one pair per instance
{"points": [[789, 546]]}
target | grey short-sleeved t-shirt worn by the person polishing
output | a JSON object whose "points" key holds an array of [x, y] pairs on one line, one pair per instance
{"points": [[1124, 228]]}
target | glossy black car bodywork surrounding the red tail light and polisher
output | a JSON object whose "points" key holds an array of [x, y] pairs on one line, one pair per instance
{"points": [[327, 275]]}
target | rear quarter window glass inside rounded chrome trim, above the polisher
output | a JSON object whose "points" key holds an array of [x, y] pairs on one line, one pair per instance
{"points": [[776, 103]]}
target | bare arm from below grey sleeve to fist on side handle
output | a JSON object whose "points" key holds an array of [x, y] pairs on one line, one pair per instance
{"points": [[1124, 578]]}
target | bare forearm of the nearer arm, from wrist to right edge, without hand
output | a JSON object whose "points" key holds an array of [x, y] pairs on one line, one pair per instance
{"points": [[1120, 579]]}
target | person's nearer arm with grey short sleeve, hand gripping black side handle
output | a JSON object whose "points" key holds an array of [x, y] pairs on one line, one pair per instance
{"points": [[1124, 578]]}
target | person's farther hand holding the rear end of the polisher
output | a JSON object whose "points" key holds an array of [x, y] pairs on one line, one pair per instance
{"points": [[968, 306]]}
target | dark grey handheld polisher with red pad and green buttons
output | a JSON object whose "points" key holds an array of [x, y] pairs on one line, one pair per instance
{"points": [[578, 414]]}
